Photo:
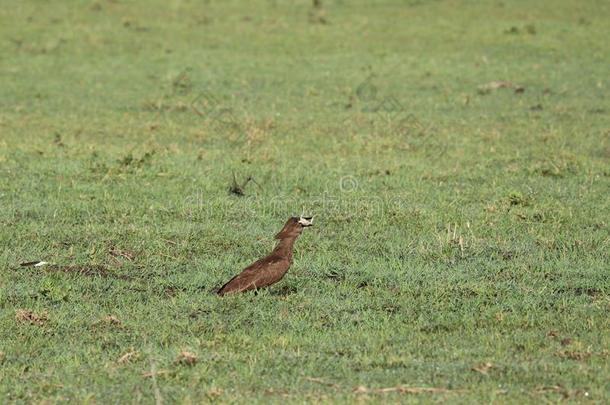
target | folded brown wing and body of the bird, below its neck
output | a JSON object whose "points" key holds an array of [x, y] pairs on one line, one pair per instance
{"points": [[258, 274]]}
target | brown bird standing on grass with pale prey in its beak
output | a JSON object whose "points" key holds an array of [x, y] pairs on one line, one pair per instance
{"points": [[271, 269]]}
